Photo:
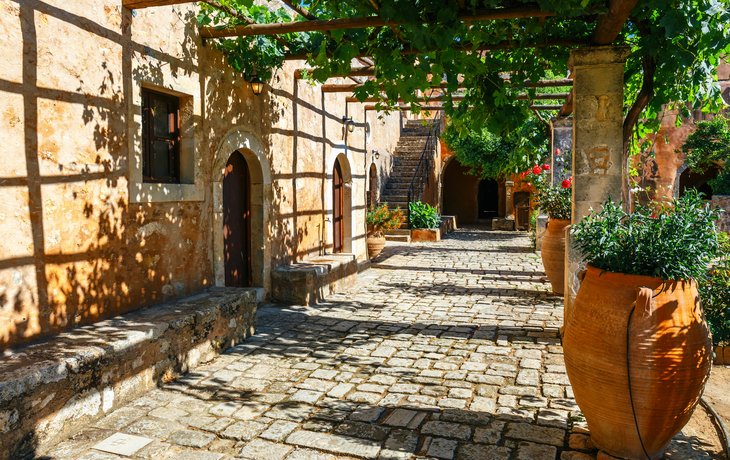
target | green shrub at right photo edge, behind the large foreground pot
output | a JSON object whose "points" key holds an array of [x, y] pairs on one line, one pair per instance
{"points": [[715, 295]]}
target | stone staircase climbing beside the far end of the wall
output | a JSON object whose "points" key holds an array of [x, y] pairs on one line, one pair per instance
{"points": [[407, 154]]}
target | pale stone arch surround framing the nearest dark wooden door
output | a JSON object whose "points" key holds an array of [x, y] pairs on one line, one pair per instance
{"points": [[253, 152]]}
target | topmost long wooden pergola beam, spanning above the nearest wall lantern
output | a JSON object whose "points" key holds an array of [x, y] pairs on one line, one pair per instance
{"points": [[359, 23]]}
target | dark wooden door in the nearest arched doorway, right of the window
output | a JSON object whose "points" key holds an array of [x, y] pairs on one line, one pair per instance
{"points": [[237, 222]]}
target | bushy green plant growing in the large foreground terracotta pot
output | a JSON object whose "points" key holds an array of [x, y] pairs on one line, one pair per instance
{"points": [[675, 241]]}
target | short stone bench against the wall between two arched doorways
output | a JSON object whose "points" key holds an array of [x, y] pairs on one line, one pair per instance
{"points": [[311, 280]]}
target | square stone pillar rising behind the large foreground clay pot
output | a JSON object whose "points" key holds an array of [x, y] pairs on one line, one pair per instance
{"points": [[598, 170]]}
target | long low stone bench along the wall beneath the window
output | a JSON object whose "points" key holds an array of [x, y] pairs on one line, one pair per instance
{"points": [[53, 388]]}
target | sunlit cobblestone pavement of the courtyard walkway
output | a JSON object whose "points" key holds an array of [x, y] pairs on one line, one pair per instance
{"points": [[443, 350]]}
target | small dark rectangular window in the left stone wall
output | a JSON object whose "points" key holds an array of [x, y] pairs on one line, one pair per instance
{"points": [[160, 137]]}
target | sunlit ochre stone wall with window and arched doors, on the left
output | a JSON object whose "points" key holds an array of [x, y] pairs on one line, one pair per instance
{"points": [[83, 237]]}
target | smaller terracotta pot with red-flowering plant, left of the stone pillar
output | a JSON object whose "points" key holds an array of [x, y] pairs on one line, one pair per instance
{"points": [[556, 201]]}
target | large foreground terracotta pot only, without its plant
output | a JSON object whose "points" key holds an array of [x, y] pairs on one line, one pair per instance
{"points": [[670, 355]]}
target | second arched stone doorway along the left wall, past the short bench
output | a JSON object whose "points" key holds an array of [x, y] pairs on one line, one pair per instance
{"points": [[340, 218]]}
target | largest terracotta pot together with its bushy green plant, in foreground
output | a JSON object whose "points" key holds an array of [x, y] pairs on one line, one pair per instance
{"points": [[637, 346]]}
